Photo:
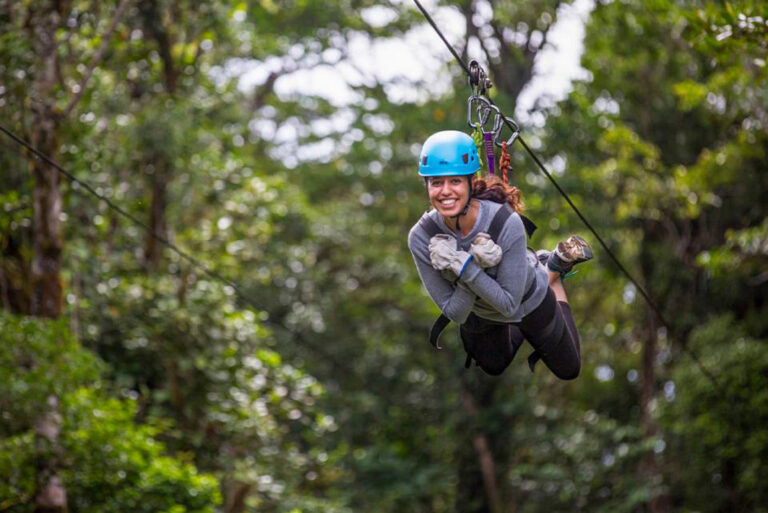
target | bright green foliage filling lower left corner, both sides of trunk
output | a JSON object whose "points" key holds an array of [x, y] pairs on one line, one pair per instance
{"points": [[109, 463]]}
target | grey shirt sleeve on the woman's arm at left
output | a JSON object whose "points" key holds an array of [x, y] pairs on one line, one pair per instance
{"points": [[455, 302]]}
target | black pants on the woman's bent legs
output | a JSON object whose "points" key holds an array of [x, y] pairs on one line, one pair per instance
{"points": [[549, 328]]}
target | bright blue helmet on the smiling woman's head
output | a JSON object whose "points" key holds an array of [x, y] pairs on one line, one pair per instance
{"points": [[448, 153]]}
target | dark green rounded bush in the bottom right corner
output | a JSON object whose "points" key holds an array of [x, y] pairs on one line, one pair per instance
{"points": [[717, 424]]}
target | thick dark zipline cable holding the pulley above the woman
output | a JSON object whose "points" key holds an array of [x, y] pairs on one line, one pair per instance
{"points": [[567, 198]]}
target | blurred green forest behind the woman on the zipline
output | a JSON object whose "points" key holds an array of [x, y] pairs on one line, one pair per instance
{"points": [[133, 380]]}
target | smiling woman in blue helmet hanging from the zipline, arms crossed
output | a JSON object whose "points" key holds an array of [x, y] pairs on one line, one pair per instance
{"points": [[497, 290]]}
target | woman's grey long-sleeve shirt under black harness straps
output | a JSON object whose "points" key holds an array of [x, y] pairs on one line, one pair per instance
{"points": [[499, 299]]}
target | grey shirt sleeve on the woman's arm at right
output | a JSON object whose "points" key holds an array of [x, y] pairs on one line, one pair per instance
{"points": [[505, 293]]}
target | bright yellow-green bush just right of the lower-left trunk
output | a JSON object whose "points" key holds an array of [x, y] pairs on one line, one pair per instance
{"points": [[102, 440]]}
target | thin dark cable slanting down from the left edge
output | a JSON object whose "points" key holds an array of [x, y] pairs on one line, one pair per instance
{"points": [[163, 240]]}
